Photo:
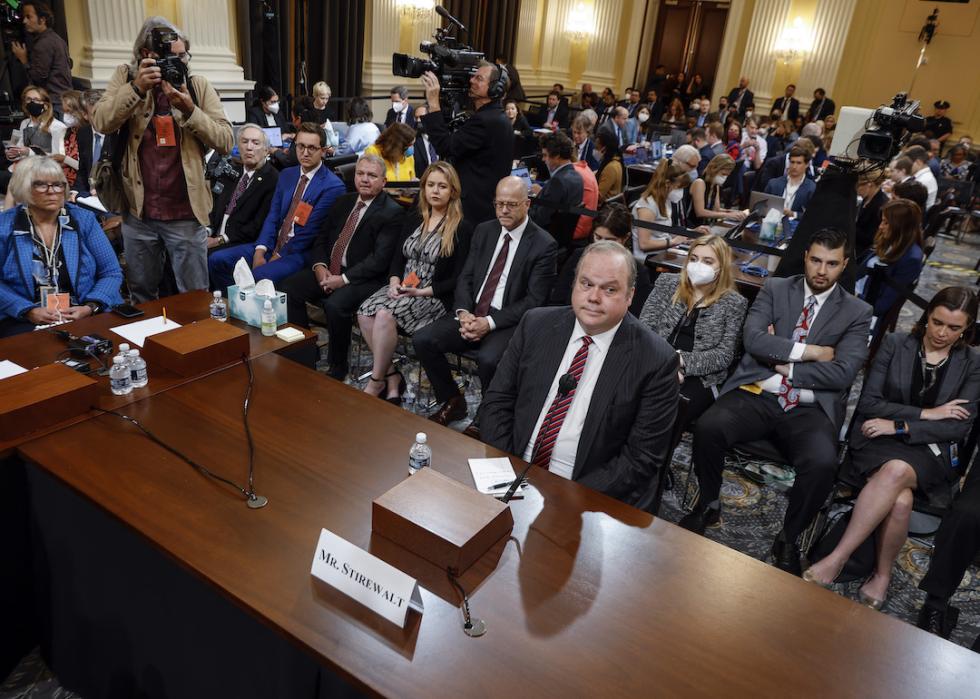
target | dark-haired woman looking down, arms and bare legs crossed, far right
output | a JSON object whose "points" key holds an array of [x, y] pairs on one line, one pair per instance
{"points": [[915, 410]]}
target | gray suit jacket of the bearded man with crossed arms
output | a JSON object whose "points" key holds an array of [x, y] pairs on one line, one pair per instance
{"points": [[843, 323]]}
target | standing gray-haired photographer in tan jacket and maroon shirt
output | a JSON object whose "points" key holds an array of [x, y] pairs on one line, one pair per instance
{"points": [[165, 120]]}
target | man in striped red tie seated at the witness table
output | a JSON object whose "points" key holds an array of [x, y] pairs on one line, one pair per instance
{"points": [[612, 430]]}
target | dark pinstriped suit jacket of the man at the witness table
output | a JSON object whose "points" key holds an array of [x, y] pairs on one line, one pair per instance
{"points": [[627, 430]]}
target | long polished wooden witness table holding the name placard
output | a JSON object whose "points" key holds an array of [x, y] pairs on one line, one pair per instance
{"points": [[589, 597]]}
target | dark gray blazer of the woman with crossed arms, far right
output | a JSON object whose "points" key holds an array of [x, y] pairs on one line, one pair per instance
{"points": [[888, 387]]}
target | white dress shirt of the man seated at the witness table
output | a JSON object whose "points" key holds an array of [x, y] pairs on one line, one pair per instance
{"points": [[566, 444]]}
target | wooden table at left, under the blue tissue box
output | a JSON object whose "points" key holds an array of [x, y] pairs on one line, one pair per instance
{"points": [[38, 348]]}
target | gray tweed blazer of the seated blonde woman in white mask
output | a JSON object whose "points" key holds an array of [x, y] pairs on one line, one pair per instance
{"points": [[717, 332]]}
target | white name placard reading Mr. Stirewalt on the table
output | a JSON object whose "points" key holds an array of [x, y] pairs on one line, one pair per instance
{"points": [[377, 585]]}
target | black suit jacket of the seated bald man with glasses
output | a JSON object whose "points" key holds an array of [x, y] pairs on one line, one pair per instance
{"points": [[531, 273]]}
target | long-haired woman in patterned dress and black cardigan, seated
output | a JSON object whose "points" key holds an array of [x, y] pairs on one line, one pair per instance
{"points": [[424, 271]]}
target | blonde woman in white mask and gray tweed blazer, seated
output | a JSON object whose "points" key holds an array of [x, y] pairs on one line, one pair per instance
{"points": [[700, 314]]}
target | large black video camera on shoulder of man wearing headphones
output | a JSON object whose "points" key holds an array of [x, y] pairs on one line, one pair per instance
{"points": [[453, 62]]}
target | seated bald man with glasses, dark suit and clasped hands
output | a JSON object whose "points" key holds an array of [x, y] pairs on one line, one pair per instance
{"points": [[509, 269]]}
